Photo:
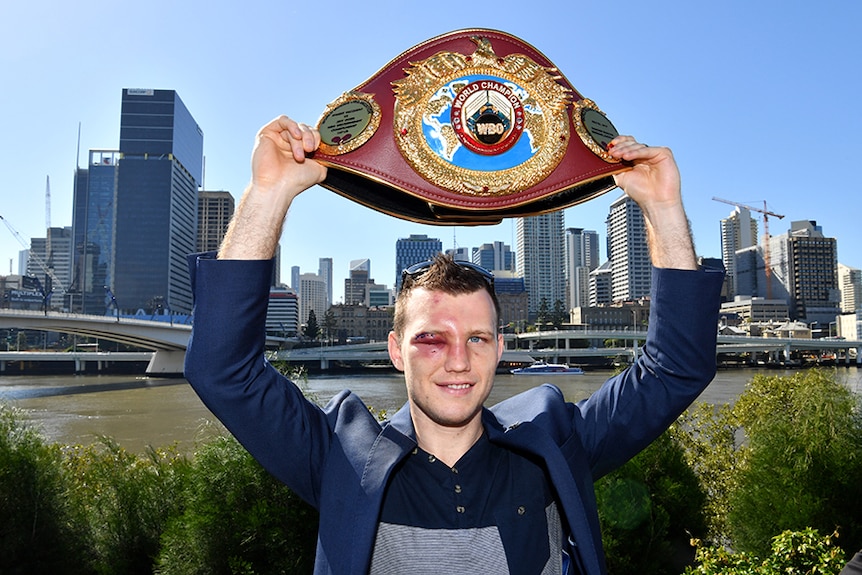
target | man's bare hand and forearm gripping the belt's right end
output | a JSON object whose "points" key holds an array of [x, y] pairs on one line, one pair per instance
{"points": [[654, 183]]}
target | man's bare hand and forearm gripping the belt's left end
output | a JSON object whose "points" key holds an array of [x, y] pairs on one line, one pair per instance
{"points": [[281, 171]]}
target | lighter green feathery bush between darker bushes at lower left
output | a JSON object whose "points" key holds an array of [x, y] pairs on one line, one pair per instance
{"points": [[123, 502]]}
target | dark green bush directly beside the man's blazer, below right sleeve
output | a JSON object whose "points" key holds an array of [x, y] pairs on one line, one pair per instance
{"points": [[648, 508]]}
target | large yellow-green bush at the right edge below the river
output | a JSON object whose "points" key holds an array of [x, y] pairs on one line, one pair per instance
{"points": [[804, 437]]}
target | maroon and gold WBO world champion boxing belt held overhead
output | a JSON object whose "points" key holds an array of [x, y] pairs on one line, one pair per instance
{"points": [[467, 128]]}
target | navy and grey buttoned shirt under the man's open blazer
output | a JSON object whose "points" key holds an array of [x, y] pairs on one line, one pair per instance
{"points": [[492, 512]]}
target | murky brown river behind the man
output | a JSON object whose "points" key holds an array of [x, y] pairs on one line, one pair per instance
{"points": [[139, 411]]}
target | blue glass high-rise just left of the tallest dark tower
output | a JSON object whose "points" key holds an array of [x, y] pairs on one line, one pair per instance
{"points": [[93, 225]]}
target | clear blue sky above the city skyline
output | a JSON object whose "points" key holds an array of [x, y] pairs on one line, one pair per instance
{"points": [[758, 99]]}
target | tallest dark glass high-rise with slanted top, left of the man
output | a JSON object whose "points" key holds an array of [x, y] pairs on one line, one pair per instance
{"points": [[160, 169]]}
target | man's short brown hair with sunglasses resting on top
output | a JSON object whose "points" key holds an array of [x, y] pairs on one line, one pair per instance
{"points": [[444, 274]]}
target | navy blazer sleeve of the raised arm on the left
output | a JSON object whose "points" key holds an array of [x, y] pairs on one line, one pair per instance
{"points": [[225, 365]]}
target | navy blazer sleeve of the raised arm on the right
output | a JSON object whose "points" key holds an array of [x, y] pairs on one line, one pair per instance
{"points": [[677, 363]]}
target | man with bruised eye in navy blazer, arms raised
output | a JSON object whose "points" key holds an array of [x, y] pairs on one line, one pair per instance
{"points": [[447, 485]]}
